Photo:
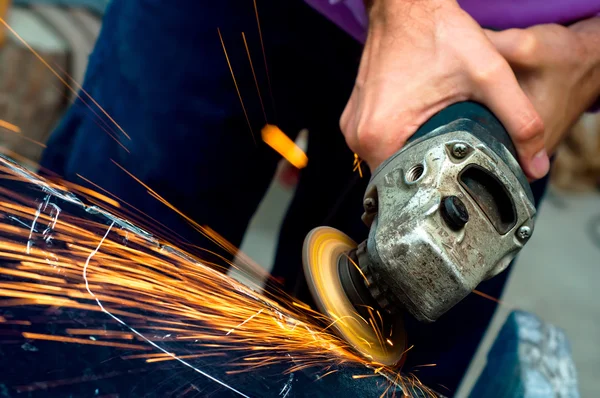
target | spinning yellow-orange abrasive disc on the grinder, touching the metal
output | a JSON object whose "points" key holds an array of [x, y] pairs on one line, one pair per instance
{"points": [[378, 336]]}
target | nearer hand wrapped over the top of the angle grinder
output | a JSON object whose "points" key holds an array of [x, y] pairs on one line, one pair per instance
{"points": [[421, 56]]}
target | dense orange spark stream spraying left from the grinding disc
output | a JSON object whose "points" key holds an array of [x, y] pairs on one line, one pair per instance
{"points": [[178, 308]]}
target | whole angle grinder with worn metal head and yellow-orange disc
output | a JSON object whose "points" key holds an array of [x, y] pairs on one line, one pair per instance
{"points": [[449, 210]]}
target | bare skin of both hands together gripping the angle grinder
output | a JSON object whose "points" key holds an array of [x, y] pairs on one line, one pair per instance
{"points": [[423, 55]]}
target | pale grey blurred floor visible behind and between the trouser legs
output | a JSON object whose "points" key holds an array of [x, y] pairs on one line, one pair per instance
{"points": [[555, 277]]}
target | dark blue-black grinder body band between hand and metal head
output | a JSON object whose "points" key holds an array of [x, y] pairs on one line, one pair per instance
{"points": [[492, 128]]}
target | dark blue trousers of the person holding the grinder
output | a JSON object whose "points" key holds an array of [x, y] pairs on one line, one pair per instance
{"points": [[159, 70]]}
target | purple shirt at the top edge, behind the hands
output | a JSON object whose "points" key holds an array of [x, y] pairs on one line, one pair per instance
{"points": [[500, 14]]}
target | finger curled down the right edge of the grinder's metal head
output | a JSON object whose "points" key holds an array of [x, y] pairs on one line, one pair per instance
{"points": [[500, 91]]}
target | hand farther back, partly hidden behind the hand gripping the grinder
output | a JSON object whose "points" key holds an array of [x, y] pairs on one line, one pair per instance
{"points": [[558, 68]]}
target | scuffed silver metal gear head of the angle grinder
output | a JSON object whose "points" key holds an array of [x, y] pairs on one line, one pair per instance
{"points": [[452, 211]]}
